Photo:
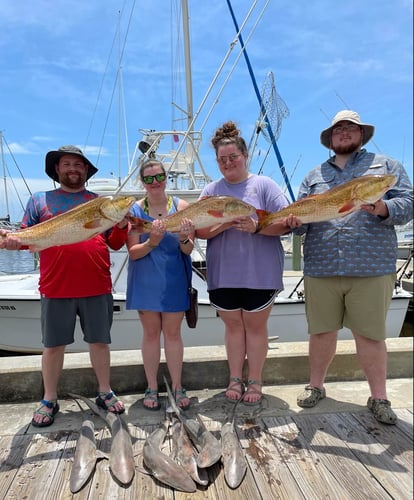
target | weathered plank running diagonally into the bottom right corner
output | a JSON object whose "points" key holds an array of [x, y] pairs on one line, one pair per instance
{"points": [[374, 455]]}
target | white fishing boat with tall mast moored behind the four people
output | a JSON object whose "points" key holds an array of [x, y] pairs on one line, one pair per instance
{"points": [[19, 296]]}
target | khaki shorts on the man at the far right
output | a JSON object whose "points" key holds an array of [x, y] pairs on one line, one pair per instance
{"points": [[358, 303]]}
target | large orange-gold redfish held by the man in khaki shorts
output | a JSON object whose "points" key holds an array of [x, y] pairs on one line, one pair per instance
{"points": [[334, 203]]}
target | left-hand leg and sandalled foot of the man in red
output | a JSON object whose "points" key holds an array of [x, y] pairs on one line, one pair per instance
{"points": [[52, 364]]}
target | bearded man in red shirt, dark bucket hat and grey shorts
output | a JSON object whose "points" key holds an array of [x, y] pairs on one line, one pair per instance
{"points": [[74, 280]]}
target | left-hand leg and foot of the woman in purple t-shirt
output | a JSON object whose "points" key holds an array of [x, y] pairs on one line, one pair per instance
{"points": [[235, 342]]}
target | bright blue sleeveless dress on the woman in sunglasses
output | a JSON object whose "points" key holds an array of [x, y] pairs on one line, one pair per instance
{"points": [[158, 281]]}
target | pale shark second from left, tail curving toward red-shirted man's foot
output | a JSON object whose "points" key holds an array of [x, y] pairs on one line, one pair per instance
{"points": [[121, 458]]}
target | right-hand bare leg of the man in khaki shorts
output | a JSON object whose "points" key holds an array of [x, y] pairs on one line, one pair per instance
{"points": [[372, 356]]}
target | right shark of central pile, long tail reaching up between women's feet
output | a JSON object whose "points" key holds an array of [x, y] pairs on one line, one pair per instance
{"points": [[208, 447]]}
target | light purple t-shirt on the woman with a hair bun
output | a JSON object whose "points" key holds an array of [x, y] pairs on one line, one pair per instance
{"points": [[236, 259]]}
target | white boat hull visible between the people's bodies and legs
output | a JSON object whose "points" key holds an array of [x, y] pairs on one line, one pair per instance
{"points": [[20, 318]]}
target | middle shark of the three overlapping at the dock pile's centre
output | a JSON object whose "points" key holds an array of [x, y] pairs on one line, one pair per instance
{"points": [[184, 453]]}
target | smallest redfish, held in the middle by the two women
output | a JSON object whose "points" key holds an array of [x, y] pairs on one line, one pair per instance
{"points": [[210, 211]]}
